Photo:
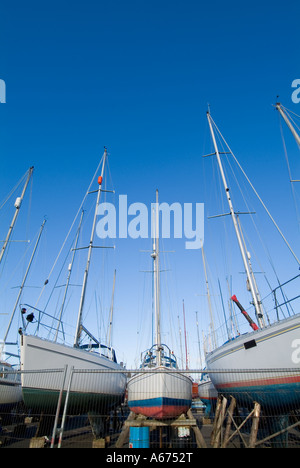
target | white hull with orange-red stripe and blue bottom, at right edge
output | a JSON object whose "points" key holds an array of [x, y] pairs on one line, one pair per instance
{"points": [[261, 366]]}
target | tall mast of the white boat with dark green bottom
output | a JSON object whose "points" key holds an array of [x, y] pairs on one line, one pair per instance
{"points": [[90, 248]]}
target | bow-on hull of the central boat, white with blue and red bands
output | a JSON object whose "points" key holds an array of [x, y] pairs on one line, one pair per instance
{"points": [[159, 393]]}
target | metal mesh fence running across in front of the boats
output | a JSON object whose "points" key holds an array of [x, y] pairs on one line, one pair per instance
{"points": [[62, 408]]}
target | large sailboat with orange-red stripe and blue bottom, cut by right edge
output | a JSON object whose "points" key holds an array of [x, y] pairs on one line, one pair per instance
{"points": [[261, 365]]}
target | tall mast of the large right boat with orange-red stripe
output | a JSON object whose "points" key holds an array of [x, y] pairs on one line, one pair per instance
{"points": [[256, 302]]}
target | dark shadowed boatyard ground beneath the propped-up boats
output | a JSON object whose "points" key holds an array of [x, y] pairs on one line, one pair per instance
{"points": [[21, 433]]}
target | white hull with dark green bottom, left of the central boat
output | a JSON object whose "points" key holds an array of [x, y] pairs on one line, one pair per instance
{"points": [[89, 391]]}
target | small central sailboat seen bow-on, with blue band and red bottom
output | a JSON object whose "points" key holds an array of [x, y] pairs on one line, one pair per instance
{"points": [[159, 390]]}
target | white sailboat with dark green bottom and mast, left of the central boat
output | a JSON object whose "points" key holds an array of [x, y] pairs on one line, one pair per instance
{"points": [[90, 391]]}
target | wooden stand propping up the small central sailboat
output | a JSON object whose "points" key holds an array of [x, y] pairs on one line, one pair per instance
{"points": [[183, 421]]}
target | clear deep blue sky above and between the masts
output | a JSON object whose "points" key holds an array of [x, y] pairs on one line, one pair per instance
{"points": [[137, 77]]}
